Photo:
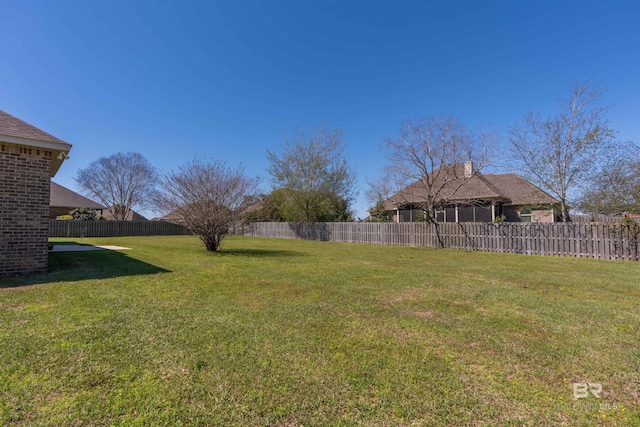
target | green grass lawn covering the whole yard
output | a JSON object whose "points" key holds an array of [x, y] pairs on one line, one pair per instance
{"points": [[289, 332]]}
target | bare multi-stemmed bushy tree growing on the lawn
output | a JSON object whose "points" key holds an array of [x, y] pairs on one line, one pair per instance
{"points": [[207, 198]]}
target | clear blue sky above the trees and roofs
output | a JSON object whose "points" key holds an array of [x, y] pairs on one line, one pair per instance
{"points": [[229, 79]]}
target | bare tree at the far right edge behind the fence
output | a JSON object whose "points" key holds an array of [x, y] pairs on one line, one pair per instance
{"points": [[615, 187]]}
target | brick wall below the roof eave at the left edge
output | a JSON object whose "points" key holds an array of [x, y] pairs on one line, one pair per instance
{"points": [[24, 208]]}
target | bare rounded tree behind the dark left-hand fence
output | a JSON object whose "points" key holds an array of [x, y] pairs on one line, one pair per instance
{"points": [[121, 182]]}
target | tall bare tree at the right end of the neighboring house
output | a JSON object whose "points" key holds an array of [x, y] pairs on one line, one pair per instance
{"points": [[558, 153]]}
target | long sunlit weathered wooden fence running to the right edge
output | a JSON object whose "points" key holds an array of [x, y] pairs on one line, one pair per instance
{"points": [[600, 241]]}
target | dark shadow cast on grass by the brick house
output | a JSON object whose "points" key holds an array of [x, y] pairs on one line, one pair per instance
{"points": [[76, 266]]}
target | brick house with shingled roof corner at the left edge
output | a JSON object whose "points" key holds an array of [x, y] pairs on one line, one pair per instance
{"points": [[29, 157]]}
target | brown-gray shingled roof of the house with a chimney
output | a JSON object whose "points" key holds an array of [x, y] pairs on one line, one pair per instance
{"points": [[511, 188]]}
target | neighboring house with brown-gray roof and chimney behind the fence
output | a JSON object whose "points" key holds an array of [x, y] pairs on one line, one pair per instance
{"points": [[466, 195]]}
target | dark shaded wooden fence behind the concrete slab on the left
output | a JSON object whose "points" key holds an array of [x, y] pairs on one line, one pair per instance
{"points": [[72, 228]]}
